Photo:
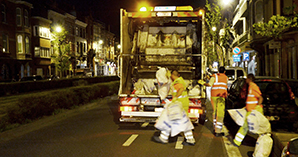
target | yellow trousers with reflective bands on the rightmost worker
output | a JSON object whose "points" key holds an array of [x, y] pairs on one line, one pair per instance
{"points": [[244, 129]]}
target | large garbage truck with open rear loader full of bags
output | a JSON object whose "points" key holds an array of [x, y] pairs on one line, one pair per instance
{"points": [[168, 37]]}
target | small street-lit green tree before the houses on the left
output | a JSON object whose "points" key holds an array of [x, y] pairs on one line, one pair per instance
{"points": [[61, 56]]}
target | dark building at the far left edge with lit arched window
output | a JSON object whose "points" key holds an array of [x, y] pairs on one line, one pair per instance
{"points": [[15, 40]]}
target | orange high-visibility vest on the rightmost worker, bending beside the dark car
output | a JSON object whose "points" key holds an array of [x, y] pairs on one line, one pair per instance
{"points": [[252, 97]]}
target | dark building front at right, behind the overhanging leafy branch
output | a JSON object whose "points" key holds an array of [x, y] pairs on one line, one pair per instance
{"points": [[262, 55]]}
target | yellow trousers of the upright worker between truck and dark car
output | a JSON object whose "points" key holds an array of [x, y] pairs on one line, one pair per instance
{"points": [[218, 105]]}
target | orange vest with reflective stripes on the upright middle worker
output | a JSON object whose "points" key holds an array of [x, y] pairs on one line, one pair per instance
{"points": [[220, 85]]}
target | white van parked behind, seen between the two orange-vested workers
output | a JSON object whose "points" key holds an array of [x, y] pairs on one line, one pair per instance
{"points": [[233, 73]]}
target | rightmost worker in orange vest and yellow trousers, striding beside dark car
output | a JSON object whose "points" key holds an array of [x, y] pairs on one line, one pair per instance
{"points": [[253, 102]]}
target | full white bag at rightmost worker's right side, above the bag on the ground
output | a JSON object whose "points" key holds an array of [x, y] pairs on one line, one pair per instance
{"points": [[258, 123]]}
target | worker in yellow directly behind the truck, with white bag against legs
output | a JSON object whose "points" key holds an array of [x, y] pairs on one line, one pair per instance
{"points": [[174, 127]]}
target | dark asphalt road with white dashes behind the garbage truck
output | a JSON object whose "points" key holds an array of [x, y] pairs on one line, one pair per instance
{"points": [[93, 130]]}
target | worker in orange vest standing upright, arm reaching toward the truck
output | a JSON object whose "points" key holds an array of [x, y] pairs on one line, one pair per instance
{"points": [[219, 84]]}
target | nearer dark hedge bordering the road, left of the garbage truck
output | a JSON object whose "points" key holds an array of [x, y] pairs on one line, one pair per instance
{"points": [[33, 106]]}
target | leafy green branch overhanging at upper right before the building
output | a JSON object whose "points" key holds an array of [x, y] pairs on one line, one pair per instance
{"points": [[277, 25]]}
